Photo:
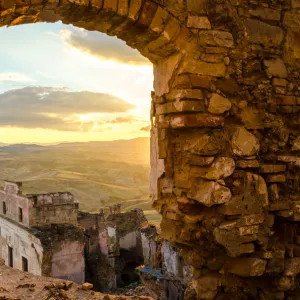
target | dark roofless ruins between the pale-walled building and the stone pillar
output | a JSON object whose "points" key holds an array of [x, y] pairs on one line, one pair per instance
{"points": [[123, 247]]}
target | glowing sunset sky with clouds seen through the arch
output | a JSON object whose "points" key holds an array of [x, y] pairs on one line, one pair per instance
{"points": [[61, 83]]}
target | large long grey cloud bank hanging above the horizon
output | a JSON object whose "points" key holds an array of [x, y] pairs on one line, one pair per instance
{"points": [[56, 108]]}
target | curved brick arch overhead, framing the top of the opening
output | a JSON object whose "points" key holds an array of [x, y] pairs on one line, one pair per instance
{"points": [[143, 25]]}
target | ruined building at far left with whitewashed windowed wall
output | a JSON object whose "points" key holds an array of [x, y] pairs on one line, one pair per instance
{"points": [[34, 236]]}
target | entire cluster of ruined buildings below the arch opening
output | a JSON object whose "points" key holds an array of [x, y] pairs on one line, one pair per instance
{"points": [[47, 235]]}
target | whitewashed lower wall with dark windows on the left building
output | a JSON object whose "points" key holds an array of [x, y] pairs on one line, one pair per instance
{"points": [[23, 243]]}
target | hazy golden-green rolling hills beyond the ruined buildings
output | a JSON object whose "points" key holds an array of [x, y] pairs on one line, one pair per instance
{"points": [[97, 173]]}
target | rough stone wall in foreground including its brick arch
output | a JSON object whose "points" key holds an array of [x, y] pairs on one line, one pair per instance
{"points": [[225, 135]]}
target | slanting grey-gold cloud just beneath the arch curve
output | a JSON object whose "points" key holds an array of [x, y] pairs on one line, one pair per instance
{"points": [[102, 46]]}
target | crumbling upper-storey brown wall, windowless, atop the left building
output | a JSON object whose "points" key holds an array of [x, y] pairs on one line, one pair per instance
{"points": [[53, 208]]}
